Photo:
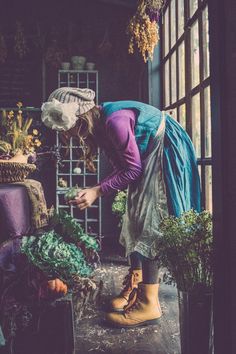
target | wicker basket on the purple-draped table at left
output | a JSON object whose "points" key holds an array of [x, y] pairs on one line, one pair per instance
{"points": [[15, 171]]}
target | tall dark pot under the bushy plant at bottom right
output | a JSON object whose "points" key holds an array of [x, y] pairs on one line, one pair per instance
{"points": [[196, 323]]}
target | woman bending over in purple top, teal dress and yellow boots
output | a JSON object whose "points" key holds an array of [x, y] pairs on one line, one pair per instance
{"points": [[154, 157]]}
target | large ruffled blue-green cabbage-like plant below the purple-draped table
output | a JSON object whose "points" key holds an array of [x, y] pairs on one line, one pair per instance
{"points": [[65, 251]]}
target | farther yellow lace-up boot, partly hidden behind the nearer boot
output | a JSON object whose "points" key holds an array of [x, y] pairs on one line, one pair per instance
{"points": [[130, 283]]}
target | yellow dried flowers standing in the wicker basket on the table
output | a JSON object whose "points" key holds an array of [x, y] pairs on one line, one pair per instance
{"points": [[14, 133]]}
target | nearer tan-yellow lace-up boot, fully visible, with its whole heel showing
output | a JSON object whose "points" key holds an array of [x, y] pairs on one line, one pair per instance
{"points": [[145, 311]]}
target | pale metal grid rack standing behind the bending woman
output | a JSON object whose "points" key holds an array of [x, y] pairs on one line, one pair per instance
{"points": [[90, 218]]}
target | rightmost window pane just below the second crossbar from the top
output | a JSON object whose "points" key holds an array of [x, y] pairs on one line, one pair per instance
{"points": [[208, 151]]}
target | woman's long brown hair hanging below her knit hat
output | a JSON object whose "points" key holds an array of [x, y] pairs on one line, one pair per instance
{"points": [[85, 131]]}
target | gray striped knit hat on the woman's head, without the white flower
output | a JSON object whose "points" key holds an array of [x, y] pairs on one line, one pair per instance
{"points": [[83, 97]]}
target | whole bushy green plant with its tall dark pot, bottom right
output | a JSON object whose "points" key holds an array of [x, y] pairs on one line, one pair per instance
{"points": [[186, 251]]}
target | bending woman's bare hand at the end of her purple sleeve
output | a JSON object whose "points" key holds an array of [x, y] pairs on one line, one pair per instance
{"points": [[86, 197]]}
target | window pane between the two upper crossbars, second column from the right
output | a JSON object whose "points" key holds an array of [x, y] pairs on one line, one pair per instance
{"points": [[195, 61]]}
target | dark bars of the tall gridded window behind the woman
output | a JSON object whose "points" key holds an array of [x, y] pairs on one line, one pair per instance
{"points": [[190, 91]]}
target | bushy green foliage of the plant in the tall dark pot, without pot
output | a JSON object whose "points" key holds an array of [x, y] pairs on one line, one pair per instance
{"points": [[186, 249]]}
